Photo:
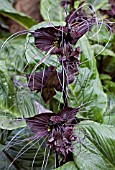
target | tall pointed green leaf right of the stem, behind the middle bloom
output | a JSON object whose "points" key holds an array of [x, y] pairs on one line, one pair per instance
{"points": [[87, 88]]}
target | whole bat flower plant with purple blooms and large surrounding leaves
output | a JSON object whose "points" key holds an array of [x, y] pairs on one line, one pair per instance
{"points": [[66, 135]]}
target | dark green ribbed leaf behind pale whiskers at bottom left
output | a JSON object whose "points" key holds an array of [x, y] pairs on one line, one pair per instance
{"points": [[26, 151]]}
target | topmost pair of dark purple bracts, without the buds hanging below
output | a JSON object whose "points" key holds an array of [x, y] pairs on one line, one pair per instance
{"points": [[57, 39]]}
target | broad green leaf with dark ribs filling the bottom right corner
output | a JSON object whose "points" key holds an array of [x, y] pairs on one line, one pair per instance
{"points": [[94, 149]]}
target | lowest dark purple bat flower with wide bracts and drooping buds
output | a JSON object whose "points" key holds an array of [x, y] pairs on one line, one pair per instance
{"points": [[58, 127]]}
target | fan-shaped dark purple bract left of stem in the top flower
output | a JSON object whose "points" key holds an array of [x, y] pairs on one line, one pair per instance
{"points": [[48, 39]]}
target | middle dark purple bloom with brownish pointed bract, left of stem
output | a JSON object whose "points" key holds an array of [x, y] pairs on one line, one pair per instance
{"points": [[46, 82]]}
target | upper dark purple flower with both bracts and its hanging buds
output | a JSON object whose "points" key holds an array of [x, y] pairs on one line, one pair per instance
{"points": [[59, 40]]}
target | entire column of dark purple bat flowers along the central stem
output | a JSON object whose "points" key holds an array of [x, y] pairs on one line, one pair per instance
{"points": [[58, 40]]}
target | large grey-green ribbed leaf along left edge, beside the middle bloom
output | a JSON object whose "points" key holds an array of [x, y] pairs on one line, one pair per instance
{"points": [[16, 100]]}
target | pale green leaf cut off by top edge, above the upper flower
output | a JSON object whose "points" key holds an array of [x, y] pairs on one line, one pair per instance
{"points": [[51, 10]]}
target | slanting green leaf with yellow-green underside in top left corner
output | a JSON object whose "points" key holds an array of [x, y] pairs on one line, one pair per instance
{"points": [[7, 10]]}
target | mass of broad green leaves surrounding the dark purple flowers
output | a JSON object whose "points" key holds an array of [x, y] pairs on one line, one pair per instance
{"points": [[92, 88]]}
